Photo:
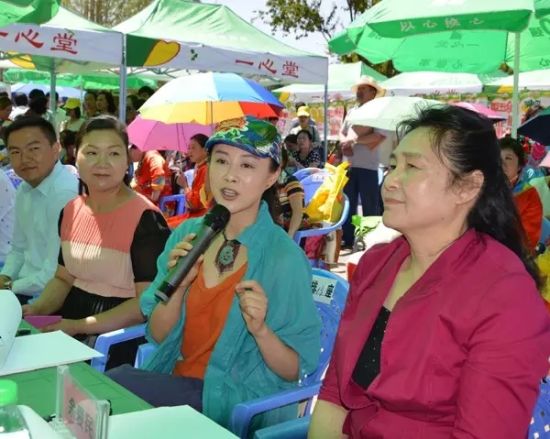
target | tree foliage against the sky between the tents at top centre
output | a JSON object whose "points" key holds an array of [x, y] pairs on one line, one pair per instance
{"points": [[302, 17]]}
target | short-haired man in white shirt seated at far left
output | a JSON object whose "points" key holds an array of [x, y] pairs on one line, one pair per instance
{"points": [[34, 151]]}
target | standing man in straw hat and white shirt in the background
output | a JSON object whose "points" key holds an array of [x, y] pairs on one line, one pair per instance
{"points": [[360, 147]]}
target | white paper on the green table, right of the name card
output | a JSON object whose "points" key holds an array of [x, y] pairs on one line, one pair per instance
{"points": [[176, 422]]}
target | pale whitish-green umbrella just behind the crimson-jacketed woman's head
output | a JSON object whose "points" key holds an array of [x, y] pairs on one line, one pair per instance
{"points": [[387, 112]]}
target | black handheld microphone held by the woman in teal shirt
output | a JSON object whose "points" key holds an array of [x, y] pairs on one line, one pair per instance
{"points": [[214, 221]]}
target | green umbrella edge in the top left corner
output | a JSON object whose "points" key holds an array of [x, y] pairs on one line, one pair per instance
{"points": [[27, 11]]}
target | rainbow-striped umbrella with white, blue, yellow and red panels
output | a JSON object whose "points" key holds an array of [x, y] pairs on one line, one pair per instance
{"points": [[209, 98]]}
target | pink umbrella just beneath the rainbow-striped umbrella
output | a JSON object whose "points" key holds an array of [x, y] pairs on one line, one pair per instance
{"points": [[151, 134]]}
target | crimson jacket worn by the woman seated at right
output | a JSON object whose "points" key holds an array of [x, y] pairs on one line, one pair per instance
{"points": [[463, 352]]}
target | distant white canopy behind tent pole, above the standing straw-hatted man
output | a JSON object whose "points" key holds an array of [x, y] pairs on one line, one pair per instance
{"points": [[341, 77]]}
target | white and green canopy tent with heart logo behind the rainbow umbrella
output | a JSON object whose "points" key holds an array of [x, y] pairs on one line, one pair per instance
{"points": [[208, 37]]}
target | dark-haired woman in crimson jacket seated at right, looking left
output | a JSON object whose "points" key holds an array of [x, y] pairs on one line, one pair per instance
{"points": [[444, 334]]}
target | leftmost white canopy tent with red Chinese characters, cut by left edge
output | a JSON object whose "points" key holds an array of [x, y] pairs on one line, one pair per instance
{"points": [[66, 43]]}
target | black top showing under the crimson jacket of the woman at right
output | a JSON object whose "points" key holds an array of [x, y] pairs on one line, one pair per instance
{"points": [[368, 364]]}
